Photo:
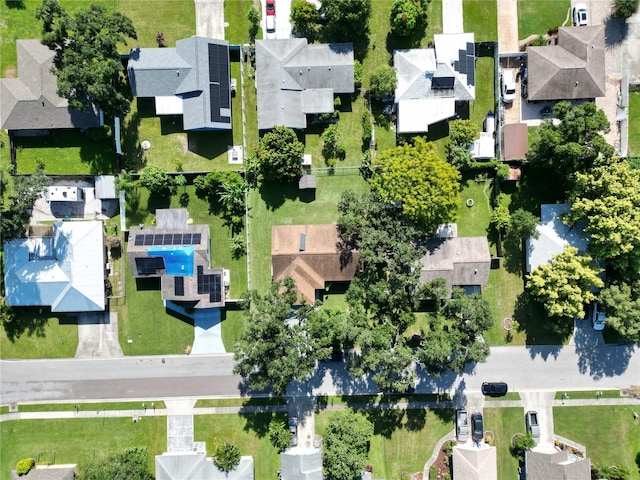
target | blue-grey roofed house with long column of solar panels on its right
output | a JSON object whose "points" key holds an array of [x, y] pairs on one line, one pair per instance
{"points": [[191, 80]]}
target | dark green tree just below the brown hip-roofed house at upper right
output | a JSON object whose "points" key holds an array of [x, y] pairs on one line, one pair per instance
{"points": [[575, 143]]}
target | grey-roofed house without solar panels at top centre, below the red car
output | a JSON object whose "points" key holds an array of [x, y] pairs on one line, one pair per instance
{"points": [[295, 79]]}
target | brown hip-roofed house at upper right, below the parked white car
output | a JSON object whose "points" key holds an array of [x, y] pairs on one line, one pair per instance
{"points": [[572, 69]]}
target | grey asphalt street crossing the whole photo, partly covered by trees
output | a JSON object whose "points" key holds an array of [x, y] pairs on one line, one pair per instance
{"points": [[523, 368]]}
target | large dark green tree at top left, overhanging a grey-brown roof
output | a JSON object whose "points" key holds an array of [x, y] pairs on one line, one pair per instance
{"points": [[87, 62]]}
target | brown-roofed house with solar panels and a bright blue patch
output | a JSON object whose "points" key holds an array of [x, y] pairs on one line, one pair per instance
{"points": [[178, 254]]}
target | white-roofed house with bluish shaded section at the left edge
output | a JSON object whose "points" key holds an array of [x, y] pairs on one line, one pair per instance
{"points": [[64, 271]]}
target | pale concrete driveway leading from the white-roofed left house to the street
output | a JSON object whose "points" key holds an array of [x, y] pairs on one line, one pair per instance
{"points": [[98, 335]]}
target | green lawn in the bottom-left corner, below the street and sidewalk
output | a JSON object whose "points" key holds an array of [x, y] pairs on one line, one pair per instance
{"points": [[78, 440]]}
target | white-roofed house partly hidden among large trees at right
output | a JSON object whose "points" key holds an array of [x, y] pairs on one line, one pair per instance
{"points": [[553, 236]]}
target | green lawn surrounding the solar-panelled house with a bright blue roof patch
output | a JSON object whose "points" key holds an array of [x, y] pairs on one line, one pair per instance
{"points": [[143, 319]]}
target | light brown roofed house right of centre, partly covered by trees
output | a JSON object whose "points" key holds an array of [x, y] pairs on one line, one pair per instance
{"points": [[461, 261]]}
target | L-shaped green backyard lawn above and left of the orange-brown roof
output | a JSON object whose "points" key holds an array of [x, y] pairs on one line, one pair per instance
{"points": [[278, 204]]}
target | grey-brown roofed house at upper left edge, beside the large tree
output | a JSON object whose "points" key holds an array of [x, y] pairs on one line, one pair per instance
{"points": [[29, 103]]}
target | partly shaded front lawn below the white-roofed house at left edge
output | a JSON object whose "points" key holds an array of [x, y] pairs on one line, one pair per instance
{"points": [[37, 333]]}
